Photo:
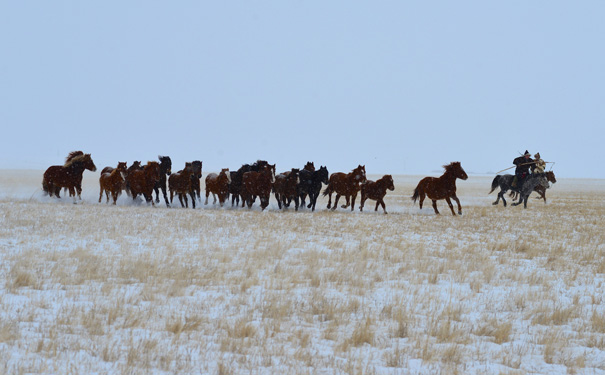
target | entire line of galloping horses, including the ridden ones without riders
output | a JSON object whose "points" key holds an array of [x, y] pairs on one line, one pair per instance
{"points": [[259, 180]]}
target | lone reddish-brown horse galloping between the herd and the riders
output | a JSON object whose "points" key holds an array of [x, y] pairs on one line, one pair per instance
{"points": [[443, 187]]}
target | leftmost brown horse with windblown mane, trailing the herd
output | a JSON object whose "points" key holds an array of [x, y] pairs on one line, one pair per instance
{"points": [[67, 176]]}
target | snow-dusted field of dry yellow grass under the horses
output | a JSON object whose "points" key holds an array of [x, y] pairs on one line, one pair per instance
{"points": [[92, 288]]}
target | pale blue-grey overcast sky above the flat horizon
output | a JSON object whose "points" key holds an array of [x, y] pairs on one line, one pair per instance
{"points": [[400, 86]]}
